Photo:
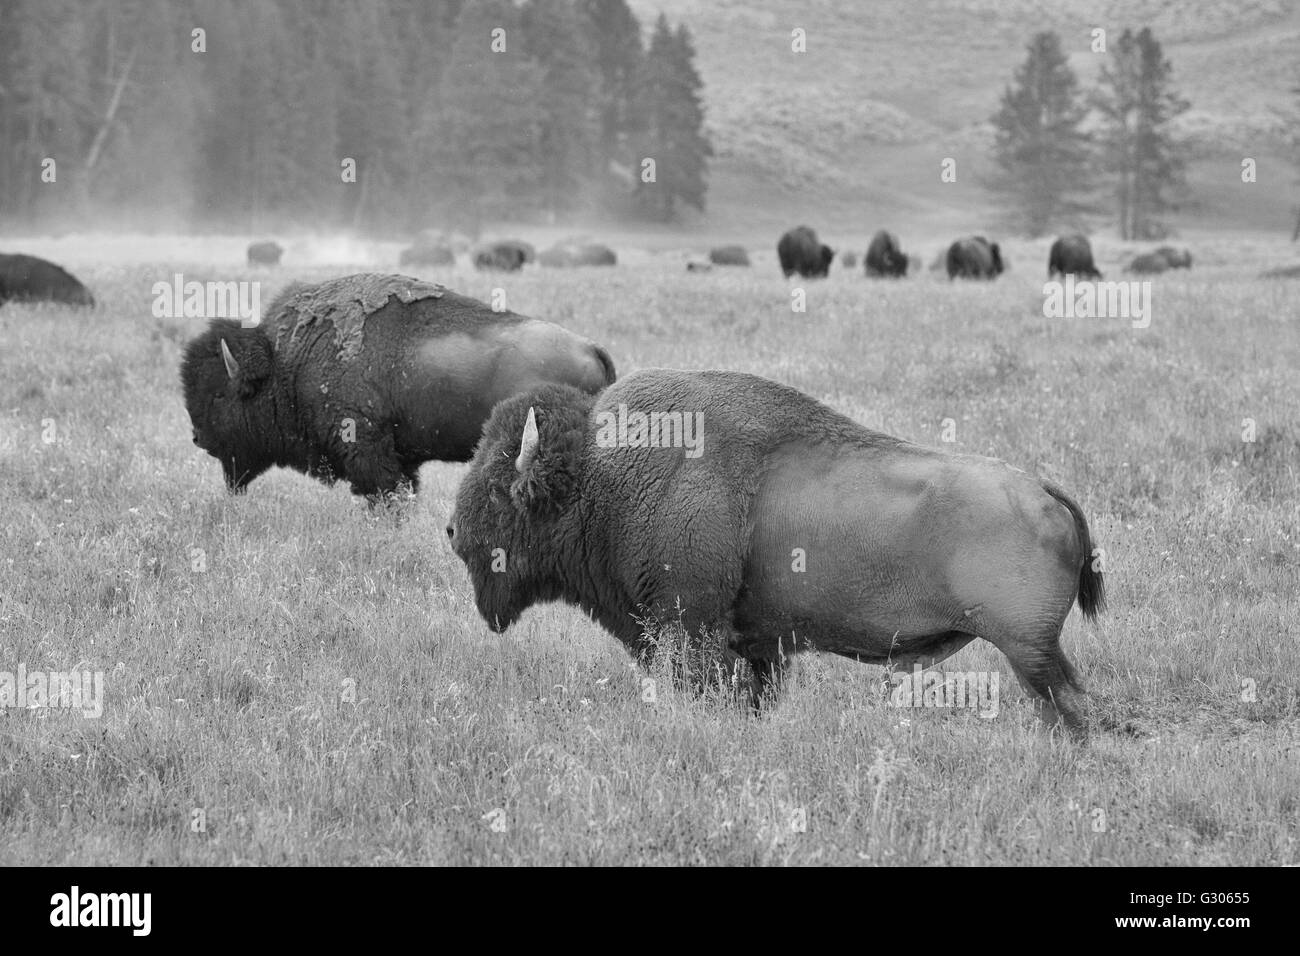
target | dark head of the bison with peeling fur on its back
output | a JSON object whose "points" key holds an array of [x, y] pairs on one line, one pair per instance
{"points": [[227, 375]]}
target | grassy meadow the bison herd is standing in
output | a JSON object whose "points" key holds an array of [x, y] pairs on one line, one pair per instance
{"points": [[291, 678]]}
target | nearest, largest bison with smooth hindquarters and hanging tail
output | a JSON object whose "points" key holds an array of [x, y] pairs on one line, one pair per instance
{"points": [[747, 508]]}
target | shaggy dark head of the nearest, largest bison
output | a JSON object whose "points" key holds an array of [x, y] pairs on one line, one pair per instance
{"points": [[514, 517]]}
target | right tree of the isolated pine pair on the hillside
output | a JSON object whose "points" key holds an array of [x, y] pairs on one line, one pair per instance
{"points": [[1137, 103]]}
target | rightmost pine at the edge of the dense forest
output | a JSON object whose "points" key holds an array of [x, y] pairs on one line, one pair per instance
{"points": [[671, 126]]}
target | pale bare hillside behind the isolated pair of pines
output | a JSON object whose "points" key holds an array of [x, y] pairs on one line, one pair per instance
{"points": [[855, 129]]}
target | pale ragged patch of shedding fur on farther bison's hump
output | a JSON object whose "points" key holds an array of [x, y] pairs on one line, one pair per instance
{"points": [[345, 304]]}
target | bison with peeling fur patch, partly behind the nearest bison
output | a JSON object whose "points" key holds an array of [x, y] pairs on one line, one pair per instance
{"points": [[366, 378]]}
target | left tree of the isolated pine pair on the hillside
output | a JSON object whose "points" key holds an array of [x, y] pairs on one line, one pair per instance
{"points": [[1042, 150]]}
